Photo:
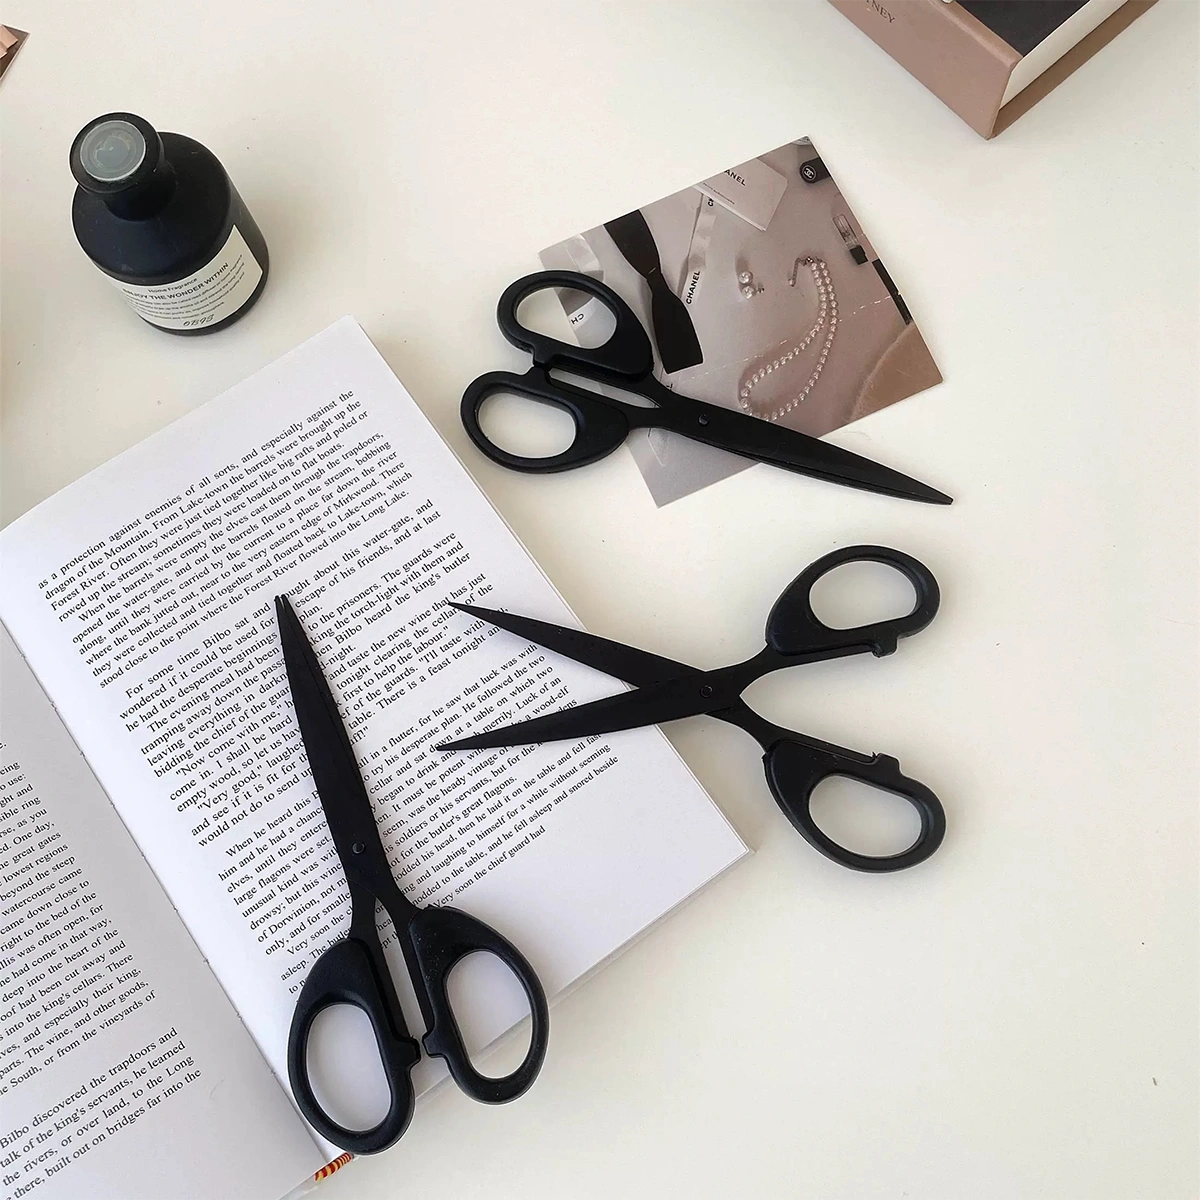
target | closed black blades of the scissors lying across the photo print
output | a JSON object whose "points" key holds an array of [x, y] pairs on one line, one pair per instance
{"points": [[793, 451]]}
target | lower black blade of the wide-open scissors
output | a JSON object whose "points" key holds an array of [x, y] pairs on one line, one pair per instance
{"points": [[668, 701]]}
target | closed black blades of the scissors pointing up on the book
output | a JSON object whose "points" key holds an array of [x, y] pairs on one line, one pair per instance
{"points": [[335, 771]]}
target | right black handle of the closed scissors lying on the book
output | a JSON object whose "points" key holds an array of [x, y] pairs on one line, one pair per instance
{"points": [[441, 938]]}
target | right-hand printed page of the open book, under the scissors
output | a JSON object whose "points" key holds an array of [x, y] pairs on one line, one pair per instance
{"points": [[143, 598]]}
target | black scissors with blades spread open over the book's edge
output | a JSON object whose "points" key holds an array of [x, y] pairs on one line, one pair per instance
{"points": [[668, 691]]}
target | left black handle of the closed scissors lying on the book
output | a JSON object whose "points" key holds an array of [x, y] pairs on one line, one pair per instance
{"points": [[351, 973]]}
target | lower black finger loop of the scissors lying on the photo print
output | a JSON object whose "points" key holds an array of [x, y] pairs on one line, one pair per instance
{"points": [[601, 424]]}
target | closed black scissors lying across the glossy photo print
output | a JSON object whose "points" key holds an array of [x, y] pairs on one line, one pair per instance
{"points": [[627, 361]]}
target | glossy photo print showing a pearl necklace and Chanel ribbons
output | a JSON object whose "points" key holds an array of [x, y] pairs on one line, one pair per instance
{"points": [[763, 293]]}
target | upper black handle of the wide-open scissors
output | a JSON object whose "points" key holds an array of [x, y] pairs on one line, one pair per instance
{"points": [[795, 629]]}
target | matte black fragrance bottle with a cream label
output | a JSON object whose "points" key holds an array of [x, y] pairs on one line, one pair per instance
{"points": [[159, 215]]}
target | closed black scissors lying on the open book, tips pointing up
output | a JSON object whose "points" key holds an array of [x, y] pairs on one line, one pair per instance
{"points": [[353, 971]]}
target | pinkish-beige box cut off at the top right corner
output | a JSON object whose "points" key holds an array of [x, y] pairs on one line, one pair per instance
{"points": [[969, 65]]}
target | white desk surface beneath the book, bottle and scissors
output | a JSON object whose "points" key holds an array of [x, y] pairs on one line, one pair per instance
{"points": [[1018, 1017]]}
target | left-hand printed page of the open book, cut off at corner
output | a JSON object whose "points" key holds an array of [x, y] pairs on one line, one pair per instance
{"points": [[124, 1071]]}
